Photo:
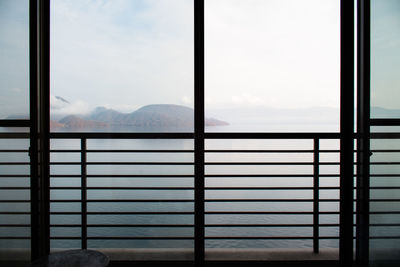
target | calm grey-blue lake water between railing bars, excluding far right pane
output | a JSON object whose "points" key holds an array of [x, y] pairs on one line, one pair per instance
{"points": [[182, 194]]}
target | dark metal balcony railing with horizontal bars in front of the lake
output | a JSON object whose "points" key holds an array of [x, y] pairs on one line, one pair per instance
{"points": [[136, 190]]}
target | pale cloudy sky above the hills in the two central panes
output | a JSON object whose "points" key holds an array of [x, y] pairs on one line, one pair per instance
{"points": [[135, 53]]}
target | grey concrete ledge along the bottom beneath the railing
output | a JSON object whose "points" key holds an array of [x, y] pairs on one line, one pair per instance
{"points": [[187, 254]]}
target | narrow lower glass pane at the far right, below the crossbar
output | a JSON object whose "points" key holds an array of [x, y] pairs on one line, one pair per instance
{"points": [[385, 200]]}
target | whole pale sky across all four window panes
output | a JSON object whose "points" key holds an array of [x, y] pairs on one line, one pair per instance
{"points": [[124, 54]]}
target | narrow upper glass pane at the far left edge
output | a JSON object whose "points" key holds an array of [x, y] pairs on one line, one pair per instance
{"points": [[14, 59]]}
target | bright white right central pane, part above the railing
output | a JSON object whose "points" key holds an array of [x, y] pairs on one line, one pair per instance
{"points": [[272, 66]]}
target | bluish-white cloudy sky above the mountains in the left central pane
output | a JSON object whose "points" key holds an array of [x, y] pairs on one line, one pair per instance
{"points": [[114, 52]]}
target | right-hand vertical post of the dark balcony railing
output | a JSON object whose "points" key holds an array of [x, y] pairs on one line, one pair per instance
{"points": [[316, 197]]}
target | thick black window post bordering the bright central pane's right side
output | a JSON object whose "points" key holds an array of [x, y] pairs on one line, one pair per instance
{"points": [[346, 131]]}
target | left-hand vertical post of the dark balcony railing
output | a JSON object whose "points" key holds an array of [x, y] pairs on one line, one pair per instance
{"points": [[83, 194]]}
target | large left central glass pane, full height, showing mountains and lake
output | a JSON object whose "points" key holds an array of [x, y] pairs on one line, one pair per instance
{"points": [[123, 66]]}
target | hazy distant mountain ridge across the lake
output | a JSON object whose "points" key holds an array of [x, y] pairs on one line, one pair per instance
{"points": [[157, 116]]}
